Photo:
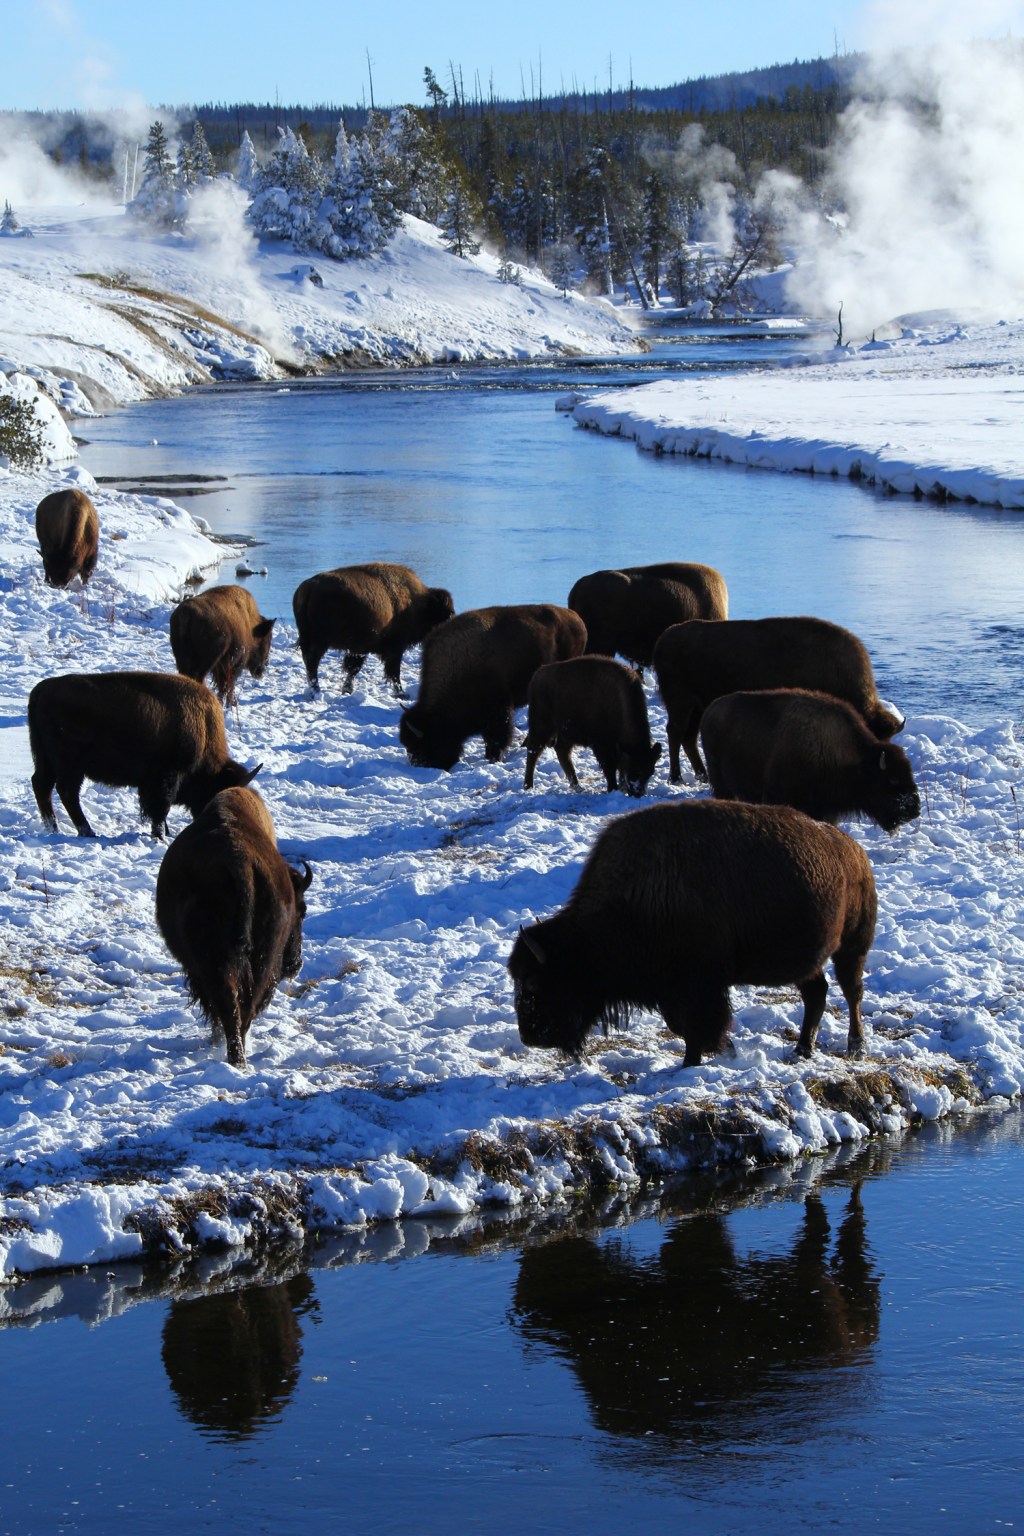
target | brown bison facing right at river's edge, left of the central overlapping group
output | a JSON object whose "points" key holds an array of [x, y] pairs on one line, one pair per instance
{"points": [[366, 611]]}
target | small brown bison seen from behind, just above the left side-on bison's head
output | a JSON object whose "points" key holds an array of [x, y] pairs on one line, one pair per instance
{"points": [[220, 632]]}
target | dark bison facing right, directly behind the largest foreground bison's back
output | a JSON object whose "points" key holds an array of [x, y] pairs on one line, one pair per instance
{"points": [[791, 747]]}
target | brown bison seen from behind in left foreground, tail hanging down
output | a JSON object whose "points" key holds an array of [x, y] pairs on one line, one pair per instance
{"points": [[231, 912]]}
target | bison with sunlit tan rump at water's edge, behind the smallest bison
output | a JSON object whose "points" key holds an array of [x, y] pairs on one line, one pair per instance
{"points": [[626, 612]]}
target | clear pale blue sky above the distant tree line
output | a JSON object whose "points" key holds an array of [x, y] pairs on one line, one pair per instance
{"points": [[113, 53]]}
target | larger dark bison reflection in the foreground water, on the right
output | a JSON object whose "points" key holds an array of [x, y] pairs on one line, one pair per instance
{"points": [[702, 1343]]}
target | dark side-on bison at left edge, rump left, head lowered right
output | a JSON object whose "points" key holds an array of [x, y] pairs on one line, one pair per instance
{"points": [[154, 732]]}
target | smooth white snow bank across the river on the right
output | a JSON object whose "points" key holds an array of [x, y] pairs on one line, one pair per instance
{"points": [[933, 411]]}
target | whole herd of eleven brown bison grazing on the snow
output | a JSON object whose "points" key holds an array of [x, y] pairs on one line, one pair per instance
{"points": [[676, 904]]}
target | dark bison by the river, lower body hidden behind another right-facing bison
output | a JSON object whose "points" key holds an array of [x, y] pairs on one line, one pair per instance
{"points": [[698, 663]]}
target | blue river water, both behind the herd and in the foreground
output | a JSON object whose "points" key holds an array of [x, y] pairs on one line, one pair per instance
{"points": [[818, 1348]]}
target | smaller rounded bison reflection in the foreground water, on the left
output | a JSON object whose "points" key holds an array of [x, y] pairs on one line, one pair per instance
{"points": [[234, 1359]]}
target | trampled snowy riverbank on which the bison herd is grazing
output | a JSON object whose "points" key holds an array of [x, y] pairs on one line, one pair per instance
{"points": [[389, 1078]]}
